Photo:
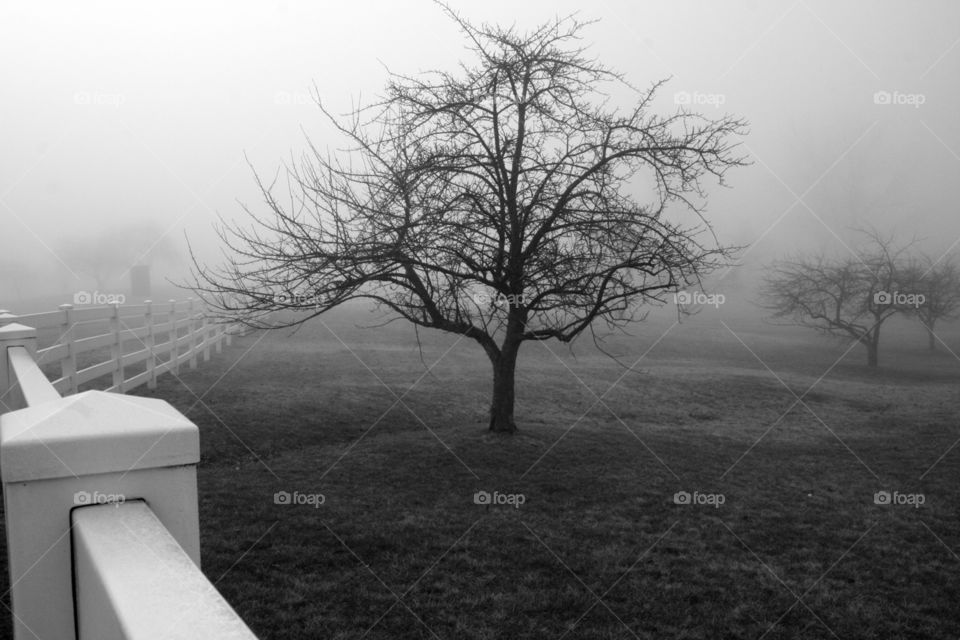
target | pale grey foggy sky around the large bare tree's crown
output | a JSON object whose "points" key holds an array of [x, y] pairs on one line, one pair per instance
{"points": [[122, 117]]}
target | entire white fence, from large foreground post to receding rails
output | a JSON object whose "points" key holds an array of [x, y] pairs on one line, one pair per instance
{"points": [[99, 488]]}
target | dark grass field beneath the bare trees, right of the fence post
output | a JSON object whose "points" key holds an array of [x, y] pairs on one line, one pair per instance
{"points": [[599, 548]]}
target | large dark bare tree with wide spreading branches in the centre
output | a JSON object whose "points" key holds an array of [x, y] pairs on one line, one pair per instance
{"points": [[495, 203]]}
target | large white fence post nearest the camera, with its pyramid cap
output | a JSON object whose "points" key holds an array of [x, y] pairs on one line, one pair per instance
{"points": [[93, 448]]}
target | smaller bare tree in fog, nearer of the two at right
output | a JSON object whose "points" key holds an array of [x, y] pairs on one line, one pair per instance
{"points": [[848, 297]]}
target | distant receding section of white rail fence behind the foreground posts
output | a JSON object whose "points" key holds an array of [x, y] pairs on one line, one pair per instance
{"points": [[132, 344]]}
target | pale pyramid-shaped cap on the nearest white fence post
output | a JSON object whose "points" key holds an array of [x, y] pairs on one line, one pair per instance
{"points": [[94, 432]]}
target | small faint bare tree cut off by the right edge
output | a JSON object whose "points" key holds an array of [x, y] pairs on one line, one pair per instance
{"points": [[939, 283]]}
